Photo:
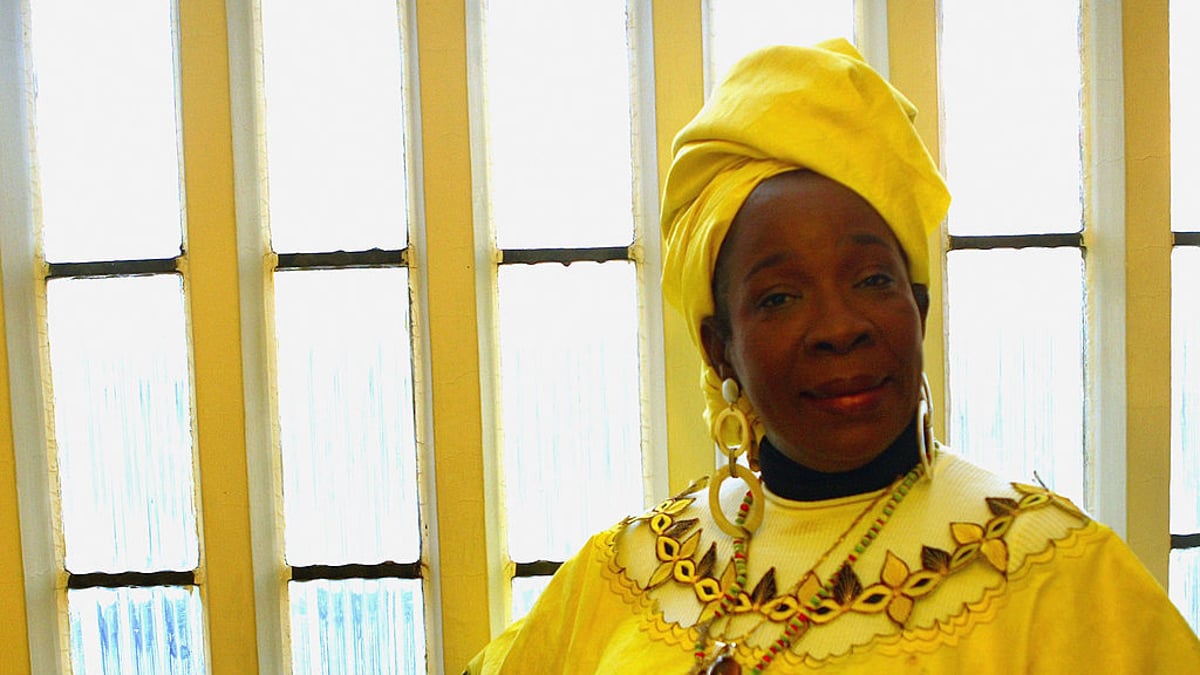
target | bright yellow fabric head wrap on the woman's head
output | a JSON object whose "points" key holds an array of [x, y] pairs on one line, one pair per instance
{"points": [[779, 110]]}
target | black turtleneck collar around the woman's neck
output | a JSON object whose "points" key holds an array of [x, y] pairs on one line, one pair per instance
{"points": [[794, 481]]}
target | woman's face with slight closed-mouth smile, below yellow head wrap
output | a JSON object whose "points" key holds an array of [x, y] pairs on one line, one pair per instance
{"points": [[821, 327]]}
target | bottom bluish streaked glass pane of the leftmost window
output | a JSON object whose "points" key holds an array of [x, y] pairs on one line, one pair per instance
{"points": [[158, 630]]}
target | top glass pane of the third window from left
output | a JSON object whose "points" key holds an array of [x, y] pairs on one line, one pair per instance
{"points": [[560, 138]]}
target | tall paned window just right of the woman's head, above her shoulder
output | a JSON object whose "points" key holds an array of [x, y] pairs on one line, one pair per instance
{"points": [[1016, 267]]}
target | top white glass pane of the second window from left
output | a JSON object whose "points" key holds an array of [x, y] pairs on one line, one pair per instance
{"points": [[333, 80]]}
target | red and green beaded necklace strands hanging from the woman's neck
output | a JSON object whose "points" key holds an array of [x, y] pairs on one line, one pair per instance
{"points": [[809, 587]]}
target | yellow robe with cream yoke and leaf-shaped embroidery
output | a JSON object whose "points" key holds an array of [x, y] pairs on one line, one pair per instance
{"points": [[969, 575]]}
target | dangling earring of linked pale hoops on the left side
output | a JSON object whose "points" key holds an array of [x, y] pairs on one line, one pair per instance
{"points": [[746, 444]]}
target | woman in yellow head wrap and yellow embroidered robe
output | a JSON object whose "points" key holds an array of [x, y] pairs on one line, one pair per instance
{"points": [[796, 217]]}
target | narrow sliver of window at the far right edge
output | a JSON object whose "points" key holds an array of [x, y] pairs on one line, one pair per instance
{"points": [[1185, 581]]}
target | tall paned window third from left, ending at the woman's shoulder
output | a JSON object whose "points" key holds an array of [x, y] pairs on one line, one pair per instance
{"points": [[567, 207]]}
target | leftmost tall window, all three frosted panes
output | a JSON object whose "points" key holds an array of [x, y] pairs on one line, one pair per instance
{"points": [[116, 349]]}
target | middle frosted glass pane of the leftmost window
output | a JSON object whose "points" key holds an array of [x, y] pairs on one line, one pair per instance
{"points": [[123, 423]]}
